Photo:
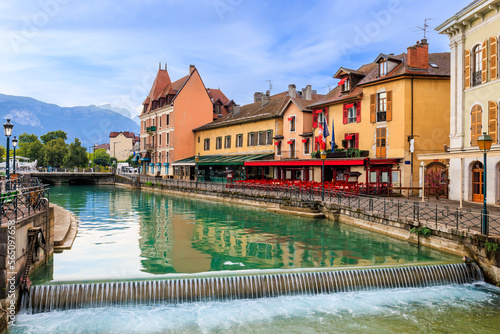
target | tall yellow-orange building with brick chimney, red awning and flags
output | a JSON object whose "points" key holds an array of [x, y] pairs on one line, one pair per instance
{"points": [[388, 111]]}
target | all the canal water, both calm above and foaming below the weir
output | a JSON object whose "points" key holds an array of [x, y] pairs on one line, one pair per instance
{"points": [[125, 234]]}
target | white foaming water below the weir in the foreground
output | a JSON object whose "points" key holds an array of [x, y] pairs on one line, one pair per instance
{"points": [[318, 313]]}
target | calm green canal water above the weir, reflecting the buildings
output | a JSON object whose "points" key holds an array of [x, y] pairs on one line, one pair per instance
{"points": [[128, 234]]}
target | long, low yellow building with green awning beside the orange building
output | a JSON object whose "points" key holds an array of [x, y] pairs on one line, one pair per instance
{"points": [[254, 133]]}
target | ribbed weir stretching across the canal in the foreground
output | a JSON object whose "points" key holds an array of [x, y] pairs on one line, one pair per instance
{"points": [[46, 298]]}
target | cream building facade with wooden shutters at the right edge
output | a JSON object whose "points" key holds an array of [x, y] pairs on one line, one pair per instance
{"points": [[475, 95]]}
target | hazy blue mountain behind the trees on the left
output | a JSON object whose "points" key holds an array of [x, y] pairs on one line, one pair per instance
{"points": [[89, 124]]}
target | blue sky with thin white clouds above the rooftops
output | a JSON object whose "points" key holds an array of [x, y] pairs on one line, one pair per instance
{"points": [[73, 53]]}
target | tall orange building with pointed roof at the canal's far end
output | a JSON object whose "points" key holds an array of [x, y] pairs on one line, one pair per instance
{"points": [[171, 111]]}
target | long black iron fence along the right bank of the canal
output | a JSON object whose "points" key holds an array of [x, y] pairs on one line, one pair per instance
{"points": [[390, 208]]}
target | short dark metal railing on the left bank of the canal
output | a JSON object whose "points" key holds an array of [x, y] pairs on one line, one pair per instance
{"points": [[22, 202]]}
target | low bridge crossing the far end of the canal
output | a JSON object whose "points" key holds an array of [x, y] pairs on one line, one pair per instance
{"points": [[75, 177]]}
